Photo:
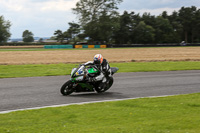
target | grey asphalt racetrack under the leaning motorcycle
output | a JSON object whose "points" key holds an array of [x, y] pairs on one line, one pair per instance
{"points": [[30, 92]]}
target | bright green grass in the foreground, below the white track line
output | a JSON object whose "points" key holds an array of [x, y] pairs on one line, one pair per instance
{"points": [[176, 114]]}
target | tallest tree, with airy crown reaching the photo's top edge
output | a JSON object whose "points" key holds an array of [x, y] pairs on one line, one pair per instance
{"points": [[97, 15]]}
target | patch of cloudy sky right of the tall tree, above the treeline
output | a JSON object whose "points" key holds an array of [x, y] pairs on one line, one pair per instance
{"points": [[156, 7]]}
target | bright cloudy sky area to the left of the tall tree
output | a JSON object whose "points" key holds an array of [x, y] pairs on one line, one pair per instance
{"points": [[40, 17]]}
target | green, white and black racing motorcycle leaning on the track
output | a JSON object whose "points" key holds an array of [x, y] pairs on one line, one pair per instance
{"points": [[79, 81]]}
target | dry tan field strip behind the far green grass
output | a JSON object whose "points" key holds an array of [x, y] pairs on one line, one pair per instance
{"points": [[113, 55]]}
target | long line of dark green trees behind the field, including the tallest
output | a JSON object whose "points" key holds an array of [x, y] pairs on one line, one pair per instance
{"points": [[98, 23]]}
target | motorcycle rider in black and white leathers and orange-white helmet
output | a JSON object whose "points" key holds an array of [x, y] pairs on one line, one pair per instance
{"points": [[102, 65]]}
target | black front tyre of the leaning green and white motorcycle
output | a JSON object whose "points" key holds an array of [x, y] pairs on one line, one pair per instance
{"points": [[67, 88]]}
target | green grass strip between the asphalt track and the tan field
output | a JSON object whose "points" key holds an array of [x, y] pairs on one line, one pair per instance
{"points": [[8, 71]]}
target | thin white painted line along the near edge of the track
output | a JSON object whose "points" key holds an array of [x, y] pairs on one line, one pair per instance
{"points": [[61, 105]]}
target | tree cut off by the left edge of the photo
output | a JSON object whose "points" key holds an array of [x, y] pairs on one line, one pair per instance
{"points": [[4, 29]]}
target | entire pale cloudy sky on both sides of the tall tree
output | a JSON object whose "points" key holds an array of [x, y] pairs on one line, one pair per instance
{"points": [[43, 17]]}
